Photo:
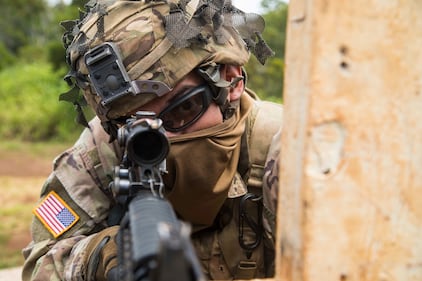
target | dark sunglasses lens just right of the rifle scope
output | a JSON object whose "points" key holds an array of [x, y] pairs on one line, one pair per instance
{"points": [[184, 112]]}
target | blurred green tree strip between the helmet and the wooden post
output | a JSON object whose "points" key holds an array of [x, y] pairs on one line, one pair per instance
{"points": [[267, 80]]}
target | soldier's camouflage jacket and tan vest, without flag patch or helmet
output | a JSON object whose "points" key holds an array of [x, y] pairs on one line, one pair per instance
{"points": [[81, 176]]}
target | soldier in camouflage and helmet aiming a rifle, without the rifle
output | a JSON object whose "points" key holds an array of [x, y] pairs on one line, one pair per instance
{"points": [[182, 60]]}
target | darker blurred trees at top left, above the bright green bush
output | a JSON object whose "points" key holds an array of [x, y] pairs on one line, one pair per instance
{"points": [[30, 30]]}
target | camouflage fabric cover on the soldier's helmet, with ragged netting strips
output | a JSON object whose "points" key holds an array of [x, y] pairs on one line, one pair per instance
{"points": [[161, 41]]}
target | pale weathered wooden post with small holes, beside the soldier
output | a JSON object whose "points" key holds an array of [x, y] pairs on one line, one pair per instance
{"points": [[350, 203]]}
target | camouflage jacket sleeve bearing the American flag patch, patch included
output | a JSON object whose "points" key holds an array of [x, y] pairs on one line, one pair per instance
{"points": [[73, 206]]}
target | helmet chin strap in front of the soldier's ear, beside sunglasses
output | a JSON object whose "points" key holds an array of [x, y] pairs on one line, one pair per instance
{"points": [[211, 74]]}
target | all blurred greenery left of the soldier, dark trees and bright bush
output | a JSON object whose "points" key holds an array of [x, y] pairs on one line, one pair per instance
{"points": [[31, 78]]}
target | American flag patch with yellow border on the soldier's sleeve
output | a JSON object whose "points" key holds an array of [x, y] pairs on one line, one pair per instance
{"points": [[55, 214]]}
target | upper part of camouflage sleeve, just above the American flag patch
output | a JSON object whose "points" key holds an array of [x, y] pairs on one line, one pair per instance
{"points": [[85, 170]]}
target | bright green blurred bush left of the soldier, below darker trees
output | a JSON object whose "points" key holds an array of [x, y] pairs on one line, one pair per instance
{"points": [[31, 111]]}
